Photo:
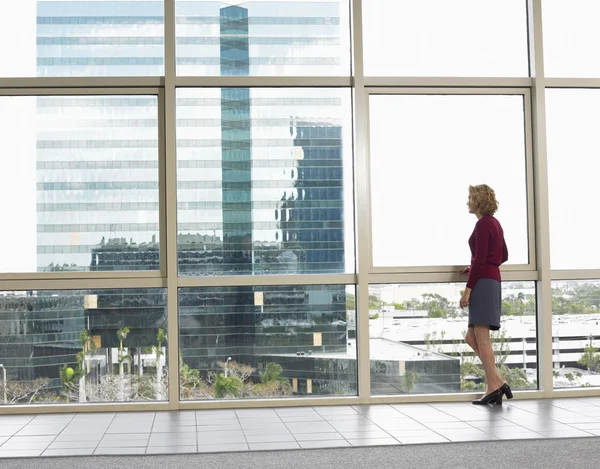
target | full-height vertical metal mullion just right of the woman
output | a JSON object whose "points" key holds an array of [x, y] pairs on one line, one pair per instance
{"points": [[542, 212]]}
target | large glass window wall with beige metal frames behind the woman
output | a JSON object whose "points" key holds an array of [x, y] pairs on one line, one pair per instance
{"points": [[265, 202]]}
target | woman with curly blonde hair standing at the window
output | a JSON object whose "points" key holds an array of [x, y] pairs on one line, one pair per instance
{"points": [[483, 294]]}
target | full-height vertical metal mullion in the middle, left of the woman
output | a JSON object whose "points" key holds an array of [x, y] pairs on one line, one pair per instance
{"points": [[362, 206]]}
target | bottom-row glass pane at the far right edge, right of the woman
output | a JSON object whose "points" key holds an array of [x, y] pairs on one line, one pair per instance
{"points": [[576, 333]]}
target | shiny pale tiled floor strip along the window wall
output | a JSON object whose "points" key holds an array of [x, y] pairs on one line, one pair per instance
{"points": [[294, 428]]}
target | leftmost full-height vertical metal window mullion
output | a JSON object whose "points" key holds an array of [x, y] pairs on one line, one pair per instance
{"points": [[170, 212]]}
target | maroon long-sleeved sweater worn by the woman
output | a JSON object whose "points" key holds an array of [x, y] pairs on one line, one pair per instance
{"points": [[488, 250]]}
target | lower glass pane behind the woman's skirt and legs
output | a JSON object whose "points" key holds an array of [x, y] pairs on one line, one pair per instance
{"points": [[417, 339]]}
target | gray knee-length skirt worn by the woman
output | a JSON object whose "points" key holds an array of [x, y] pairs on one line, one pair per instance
{"points": [[485, 304]]}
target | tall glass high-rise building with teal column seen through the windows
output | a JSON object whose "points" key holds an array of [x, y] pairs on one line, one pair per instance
{"points": [[274, 210]]}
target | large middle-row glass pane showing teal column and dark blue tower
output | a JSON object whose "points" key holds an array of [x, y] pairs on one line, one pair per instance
{"points": [[264, 181]]}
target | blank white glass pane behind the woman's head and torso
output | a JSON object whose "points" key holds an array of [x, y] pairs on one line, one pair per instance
{"points": [[425, 152]]}
